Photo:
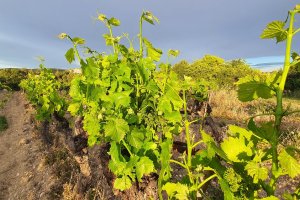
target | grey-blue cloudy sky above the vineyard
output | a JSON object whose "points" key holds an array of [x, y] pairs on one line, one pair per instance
{"points": [[229, 29]]}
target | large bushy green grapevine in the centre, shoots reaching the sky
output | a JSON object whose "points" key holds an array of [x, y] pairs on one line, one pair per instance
{"points": [[127, 100]]}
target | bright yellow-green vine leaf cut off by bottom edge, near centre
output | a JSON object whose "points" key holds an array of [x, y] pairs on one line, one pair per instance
{"points": [[177, 190]]}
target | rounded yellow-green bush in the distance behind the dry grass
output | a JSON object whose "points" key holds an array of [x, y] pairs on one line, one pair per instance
{"points": [[215, 70]]}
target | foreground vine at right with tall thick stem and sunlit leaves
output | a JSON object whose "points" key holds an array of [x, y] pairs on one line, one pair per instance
{"points": [[244, 153]]}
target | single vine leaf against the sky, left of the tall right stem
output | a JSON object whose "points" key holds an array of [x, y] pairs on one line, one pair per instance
{"points": [[275, 30]]}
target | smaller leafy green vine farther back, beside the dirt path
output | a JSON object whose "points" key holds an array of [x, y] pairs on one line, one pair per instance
{"points": [[42, 91]]}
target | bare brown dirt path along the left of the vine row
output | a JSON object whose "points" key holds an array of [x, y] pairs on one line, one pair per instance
{"points": [[22, 171]]}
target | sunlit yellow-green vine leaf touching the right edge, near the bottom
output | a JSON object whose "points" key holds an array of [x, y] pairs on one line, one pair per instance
{"points": [[289, 164]]}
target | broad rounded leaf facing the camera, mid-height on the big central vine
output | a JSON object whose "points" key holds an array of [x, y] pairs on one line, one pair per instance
{"points": [[116, 129]]}
